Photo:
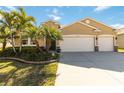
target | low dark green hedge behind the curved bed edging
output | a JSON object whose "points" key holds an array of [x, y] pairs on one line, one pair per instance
{"points": [[29, 53]]}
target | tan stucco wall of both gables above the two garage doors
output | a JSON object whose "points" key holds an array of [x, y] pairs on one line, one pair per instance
{"points": [[81, 29]]}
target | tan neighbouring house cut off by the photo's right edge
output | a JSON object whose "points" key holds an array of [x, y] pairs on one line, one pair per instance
{"points": [[120, 37]]}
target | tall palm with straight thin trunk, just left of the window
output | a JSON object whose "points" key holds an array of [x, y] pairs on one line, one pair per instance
{"points": [[23, 21]]}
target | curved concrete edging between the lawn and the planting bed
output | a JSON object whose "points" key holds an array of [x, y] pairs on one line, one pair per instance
{"points": [[28, 62]]}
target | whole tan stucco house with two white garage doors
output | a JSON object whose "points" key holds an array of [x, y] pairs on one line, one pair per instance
{"points": [[86, 35]]}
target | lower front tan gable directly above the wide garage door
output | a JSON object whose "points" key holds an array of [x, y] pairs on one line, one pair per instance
{"points": [[77, 28]]}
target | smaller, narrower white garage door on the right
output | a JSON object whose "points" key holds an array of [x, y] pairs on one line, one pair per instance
{"points": [[105, 43]]}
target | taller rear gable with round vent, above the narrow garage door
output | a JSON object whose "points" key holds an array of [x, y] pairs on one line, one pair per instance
{"points": [[101, 26]]}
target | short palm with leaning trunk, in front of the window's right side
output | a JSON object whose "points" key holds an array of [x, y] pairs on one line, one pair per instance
{"points": [[34, 33]]}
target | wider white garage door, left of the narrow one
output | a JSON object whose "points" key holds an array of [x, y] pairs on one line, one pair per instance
{"points": [[77, 43]]}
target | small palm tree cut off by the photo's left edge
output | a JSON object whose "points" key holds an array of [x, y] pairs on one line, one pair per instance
{"points": [[4, 35]]}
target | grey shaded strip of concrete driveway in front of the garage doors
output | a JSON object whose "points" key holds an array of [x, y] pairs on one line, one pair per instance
{"points": [[101, 60]]}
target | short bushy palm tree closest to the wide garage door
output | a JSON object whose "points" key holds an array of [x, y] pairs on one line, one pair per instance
{"points": [[51, 33]]}
